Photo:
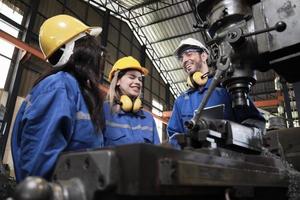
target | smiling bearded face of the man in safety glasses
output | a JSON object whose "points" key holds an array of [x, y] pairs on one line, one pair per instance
{"points": [[194, 61]]}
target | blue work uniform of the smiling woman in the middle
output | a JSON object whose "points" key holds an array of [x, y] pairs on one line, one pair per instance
{"points": [[127, 127]]}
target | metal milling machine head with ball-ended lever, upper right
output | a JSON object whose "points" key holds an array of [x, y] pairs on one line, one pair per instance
{"points": [[250, 32]]}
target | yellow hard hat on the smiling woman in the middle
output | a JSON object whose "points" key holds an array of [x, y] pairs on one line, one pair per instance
{"points": [[126, 63]]}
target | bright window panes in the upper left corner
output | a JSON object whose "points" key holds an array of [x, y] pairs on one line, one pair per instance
{"points": [[7, 49]]}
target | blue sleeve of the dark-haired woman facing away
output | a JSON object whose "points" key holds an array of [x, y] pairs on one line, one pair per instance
{"points": [[47, 128]]}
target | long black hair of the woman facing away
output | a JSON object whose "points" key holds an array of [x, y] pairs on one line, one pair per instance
{"points": [[85, 65]]}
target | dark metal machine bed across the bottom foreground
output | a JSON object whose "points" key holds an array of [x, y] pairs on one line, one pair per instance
{"points": [[143, 171]]}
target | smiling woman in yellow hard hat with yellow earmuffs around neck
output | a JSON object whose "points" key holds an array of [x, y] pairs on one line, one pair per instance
{"points": [[125, 120]]}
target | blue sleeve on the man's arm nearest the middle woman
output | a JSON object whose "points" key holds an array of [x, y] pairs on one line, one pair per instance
{"points": [[175, 125]]}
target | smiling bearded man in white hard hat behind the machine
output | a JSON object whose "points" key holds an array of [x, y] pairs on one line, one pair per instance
{"points": [[193, 55]]}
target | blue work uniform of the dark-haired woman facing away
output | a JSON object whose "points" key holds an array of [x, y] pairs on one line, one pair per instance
{"points": [[54, 118]]}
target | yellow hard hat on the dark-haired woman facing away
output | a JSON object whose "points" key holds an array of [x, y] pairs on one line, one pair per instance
{"points": [[58, 30]]}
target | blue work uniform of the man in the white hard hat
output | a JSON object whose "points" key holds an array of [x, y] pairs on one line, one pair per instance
{"points": [[186, 104]]}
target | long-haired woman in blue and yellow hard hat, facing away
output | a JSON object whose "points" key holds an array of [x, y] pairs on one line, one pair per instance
{"points": [[62, 112]]}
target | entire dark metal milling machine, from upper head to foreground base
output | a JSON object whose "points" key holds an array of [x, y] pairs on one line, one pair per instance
{"points": [[218, 159]]}
